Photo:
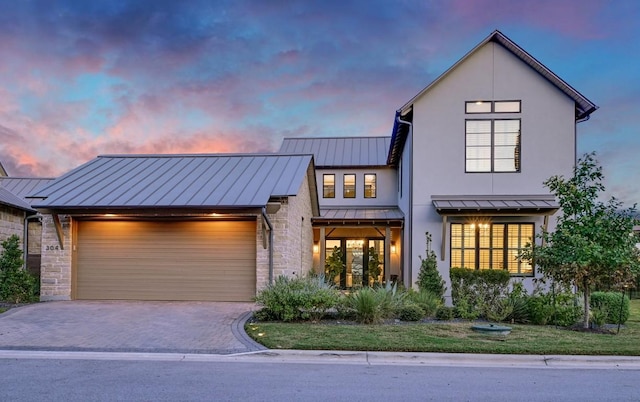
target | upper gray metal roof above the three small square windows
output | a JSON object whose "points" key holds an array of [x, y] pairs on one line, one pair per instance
{"points": [[340, 151]]}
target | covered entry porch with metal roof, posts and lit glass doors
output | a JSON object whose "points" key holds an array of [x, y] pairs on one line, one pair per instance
{"points": [[362, 245]]}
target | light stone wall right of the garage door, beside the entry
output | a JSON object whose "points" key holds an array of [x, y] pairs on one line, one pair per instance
{"points": [[293, 239]]}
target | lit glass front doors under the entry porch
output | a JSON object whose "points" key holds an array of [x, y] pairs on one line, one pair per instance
{"points": [[362, 262]]}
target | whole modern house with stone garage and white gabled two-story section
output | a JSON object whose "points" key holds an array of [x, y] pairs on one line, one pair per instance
{"points": [[465, 162]]}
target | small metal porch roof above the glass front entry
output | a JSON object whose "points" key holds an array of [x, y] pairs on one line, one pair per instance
{"points": [[360, 216]]}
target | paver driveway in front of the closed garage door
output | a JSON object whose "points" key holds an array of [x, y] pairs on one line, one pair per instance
{"points": [[128, 326]]}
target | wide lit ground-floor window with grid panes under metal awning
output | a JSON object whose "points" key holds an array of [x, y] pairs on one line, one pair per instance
{"points": [[491, 246]]}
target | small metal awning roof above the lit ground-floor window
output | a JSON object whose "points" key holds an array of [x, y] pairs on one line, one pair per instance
{"points": [[495, 203]]}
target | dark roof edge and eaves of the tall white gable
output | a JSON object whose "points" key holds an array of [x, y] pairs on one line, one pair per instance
{"points": [[583, 106]]}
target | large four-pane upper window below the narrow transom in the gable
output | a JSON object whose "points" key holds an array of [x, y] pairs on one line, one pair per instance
{"points": [[492, 145]]}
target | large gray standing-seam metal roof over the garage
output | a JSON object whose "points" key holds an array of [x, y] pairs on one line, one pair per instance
{"points": [[177, 181]]}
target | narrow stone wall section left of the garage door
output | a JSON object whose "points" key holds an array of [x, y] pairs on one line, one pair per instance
{"points": [[55, 270]]}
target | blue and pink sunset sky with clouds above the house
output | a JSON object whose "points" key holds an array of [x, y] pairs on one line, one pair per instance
{"points": [[82, 78]]}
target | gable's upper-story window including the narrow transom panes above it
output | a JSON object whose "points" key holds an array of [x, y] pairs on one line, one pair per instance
{"points": [[492, 144]]}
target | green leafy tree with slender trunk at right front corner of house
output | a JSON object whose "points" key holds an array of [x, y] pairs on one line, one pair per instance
{"points": [[593, 244]]}
